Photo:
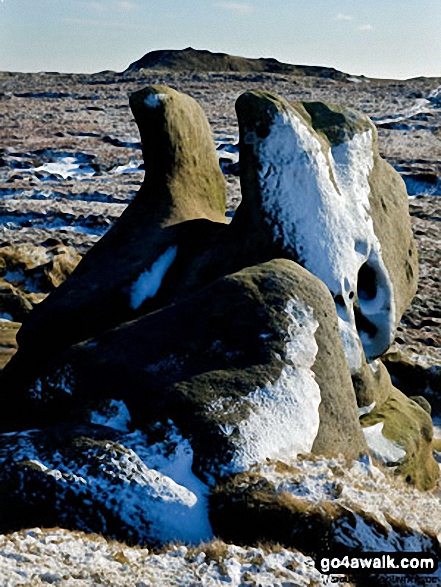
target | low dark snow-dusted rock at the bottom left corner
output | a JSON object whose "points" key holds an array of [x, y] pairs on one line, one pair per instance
{"points": [[96, 479]]}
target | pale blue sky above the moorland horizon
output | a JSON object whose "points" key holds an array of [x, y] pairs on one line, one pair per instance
{"points": [[378, 38]]}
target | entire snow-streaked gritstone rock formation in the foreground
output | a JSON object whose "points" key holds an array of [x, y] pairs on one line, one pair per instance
{"points": [[247, 343]]}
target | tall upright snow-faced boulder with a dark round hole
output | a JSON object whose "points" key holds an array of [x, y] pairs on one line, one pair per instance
{"points": [[312, 177]]}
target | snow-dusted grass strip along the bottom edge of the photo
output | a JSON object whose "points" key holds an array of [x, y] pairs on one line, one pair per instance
{"points": [[60, 557]]}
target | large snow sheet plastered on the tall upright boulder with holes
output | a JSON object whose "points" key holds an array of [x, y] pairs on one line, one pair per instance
{"points": [[318, 205]]}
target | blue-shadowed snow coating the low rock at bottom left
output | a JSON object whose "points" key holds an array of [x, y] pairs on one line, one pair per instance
{"points": [[152, 488]]}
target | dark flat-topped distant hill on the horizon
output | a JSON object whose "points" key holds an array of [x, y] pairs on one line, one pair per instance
{"points": [[200, 60]]}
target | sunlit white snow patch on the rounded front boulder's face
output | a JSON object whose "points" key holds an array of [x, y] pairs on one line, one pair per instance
{"points": [[283, 417]]}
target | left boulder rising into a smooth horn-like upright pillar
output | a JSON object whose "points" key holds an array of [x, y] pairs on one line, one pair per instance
{"points": [[122, 275]]}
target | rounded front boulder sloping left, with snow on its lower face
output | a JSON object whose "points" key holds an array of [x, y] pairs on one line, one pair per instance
{"points": [[249, 368]]}
